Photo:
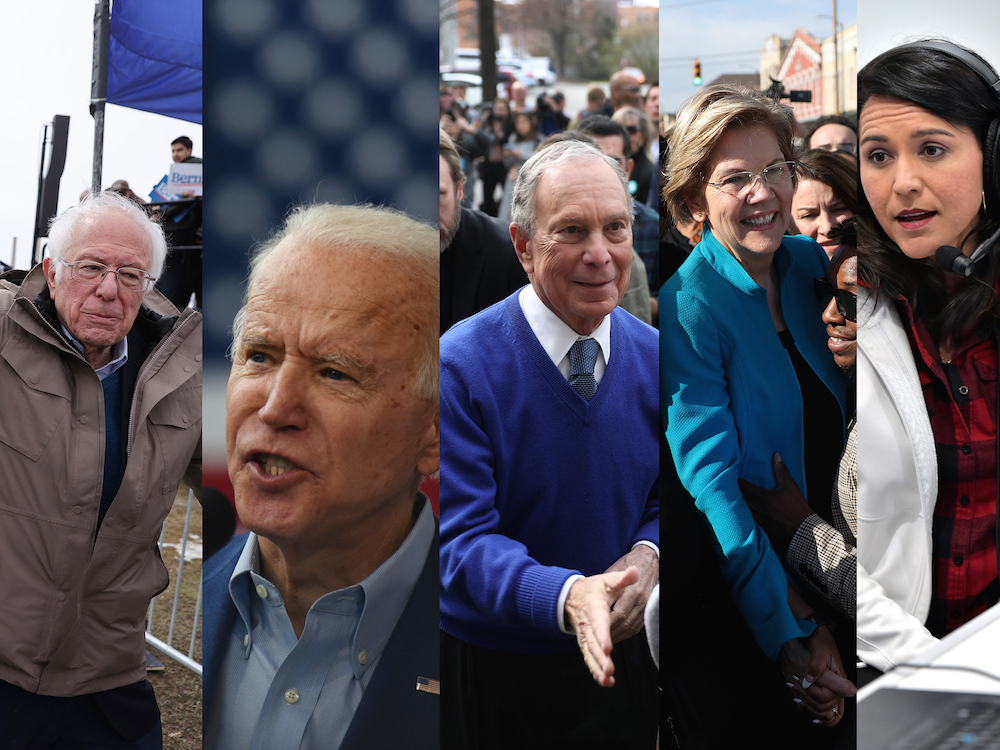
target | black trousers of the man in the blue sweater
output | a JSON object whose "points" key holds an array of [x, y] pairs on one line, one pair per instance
{"points": [[496, 699]]}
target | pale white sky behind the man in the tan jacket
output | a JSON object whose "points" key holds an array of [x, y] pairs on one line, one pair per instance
{"points": [[46, 53]]}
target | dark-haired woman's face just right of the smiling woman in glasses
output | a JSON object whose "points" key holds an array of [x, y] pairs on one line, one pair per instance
{"points": [[826, 197]]}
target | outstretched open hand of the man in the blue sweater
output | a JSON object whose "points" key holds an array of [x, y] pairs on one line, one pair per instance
{"points": [[588, 608]]}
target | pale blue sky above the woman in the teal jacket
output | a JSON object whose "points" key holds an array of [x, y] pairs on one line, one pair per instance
{"points": [[726, 36]]}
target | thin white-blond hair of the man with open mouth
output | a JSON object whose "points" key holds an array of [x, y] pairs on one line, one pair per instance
{"points": [[378, 232]]}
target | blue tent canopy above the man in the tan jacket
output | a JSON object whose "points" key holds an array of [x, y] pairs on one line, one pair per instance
{"points": [[155, 57]]}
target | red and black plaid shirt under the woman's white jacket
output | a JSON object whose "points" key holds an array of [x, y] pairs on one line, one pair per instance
{"points": [[961, 399]]}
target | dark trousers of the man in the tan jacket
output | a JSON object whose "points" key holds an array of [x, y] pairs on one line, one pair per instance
{"points": [[43, 722]]}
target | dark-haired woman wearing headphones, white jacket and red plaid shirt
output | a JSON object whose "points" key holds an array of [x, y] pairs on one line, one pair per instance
{"points": [[927, 347]]}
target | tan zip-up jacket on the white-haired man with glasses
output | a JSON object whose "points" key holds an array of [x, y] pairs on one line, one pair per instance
{"points": [[71, 606]]}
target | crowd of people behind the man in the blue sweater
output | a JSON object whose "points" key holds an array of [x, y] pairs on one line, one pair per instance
{"points": [[482, 153]]}
